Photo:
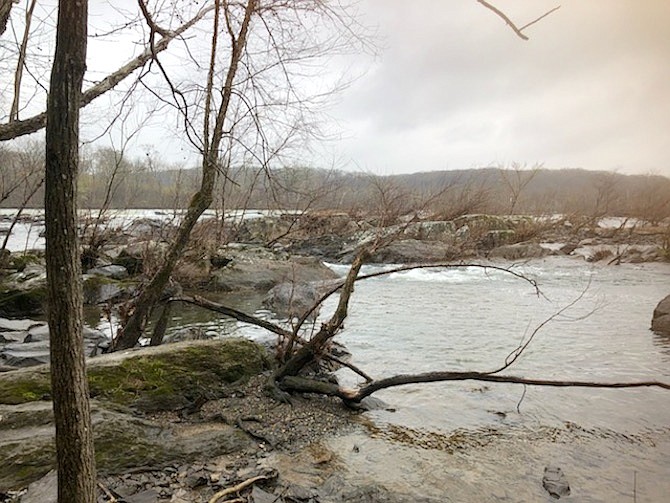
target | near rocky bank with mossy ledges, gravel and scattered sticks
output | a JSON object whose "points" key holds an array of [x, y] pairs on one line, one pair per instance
{"points": [[186, 444]]}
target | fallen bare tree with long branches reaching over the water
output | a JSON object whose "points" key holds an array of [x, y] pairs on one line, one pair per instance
{"points": [[296, 354]]}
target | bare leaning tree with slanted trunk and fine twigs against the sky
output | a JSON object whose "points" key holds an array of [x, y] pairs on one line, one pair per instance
{"points": [[255, 108]]}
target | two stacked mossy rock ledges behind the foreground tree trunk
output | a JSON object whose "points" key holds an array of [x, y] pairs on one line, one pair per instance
{"points": [[165, 378]]}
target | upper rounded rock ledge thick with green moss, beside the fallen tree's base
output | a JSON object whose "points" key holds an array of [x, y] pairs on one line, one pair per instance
{"points": [[166, 377]]}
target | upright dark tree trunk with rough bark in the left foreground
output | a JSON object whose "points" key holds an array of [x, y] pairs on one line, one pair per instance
{"points": [[74, 436]]}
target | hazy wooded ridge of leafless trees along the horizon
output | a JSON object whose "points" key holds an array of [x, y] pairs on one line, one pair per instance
{"points": [[109, 180]]}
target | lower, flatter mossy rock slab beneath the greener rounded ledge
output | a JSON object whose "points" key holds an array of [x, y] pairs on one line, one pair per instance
{"points": [[121, 442]]}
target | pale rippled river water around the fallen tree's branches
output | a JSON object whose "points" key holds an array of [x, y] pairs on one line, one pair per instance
{"points": [[480, 442]]}
